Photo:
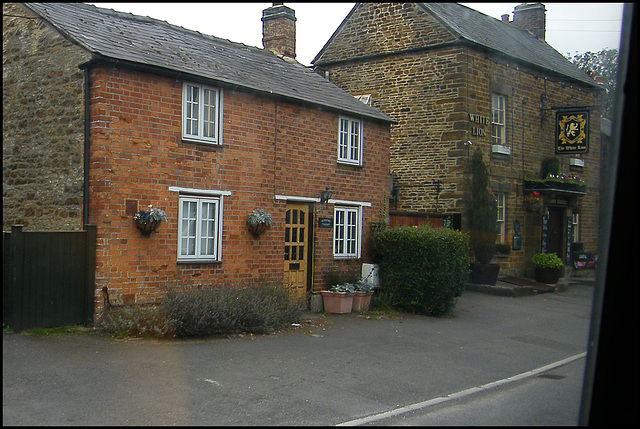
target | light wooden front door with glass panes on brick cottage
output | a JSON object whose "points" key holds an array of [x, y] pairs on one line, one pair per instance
{"points": [[296, 249]]}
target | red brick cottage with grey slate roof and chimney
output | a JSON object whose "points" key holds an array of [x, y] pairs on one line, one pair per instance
{"points": [[106, 113]]}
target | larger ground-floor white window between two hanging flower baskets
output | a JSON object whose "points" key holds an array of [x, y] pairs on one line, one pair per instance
{"points": [[199, 229]]}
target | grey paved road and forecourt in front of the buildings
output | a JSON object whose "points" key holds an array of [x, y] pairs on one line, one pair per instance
{"points": [[351, 369]]}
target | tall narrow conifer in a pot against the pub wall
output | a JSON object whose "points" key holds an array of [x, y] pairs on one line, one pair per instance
{"points": [[483, 217]]}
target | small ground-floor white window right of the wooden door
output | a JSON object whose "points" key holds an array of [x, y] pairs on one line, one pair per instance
{"points": [[347, 232]]}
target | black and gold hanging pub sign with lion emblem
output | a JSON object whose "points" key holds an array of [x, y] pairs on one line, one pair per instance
{"points": [[572, 131]]}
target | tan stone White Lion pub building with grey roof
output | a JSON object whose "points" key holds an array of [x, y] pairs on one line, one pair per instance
{"points": [[455, 80]]}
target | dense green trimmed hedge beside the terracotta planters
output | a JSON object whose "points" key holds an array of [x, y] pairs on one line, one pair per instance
{"points": [[421, 269]]}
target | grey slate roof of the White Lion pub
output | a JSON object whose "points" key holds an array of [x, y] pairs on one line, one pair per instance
{"points": [[477, 28]]}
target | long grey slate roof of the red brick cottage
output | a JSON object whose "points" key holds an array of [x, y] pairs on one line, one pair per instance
{"points": [[150, 42]]}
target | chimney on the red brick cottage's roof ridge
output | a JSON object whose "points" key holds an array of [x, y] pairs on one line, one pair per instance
{"points": [[279, 30]]}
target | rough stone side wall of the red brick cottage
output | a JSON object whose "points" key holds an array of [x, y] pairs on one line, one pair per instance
{"points": [[43, 133]]}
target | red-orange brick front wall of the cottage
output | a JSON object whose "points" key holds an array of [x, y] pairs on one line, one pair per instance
{"points": [[270, 148]]}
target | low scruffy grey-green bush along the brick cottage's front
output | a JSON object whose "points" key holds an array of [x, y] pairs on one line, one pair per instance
{"points": [[214, 311]]}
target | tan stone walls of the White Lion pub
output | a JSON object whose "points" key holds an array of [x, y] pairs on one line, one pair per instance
{"points": [[430, 93]]}
